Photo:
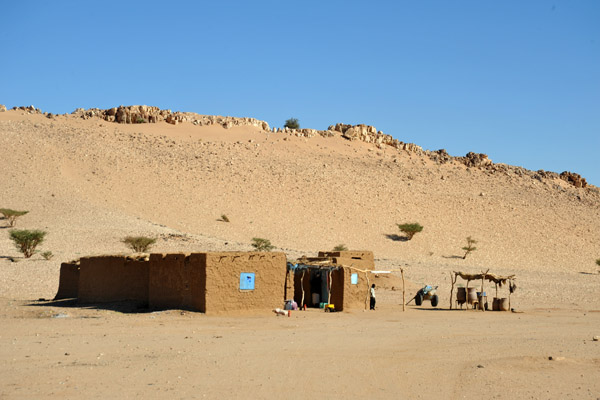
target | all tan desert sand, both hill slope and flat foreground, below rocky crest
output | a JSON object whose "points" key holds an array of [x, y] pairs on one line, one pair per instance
{"points": [[91, 182]]}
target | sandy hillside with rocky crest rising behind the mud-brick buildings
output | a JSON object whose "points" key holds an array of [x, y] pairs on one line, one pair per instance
{"points": [[305, 190]]}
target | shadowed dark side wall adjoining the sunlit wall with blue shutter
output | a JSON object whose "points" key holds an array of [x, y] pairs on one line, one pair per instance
{"points": [[177, 281]]}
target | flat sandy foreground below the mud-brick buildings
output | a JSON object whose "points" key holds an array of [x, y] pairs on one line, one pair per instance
{"points": [[53, 352]]}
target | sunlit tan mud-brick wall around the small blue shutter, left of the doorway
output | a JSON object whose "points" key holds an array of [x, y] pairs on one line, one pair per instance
{"points": [[223, 281]]}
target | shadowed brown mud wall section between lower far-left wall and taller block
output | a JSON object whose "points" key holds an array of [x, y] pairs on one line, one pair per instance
{"points": [[113, 278]]}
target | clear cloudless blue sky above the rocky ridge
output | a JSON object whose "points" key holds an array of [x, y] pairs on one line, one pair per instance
{"points": [[517, 80]]}
